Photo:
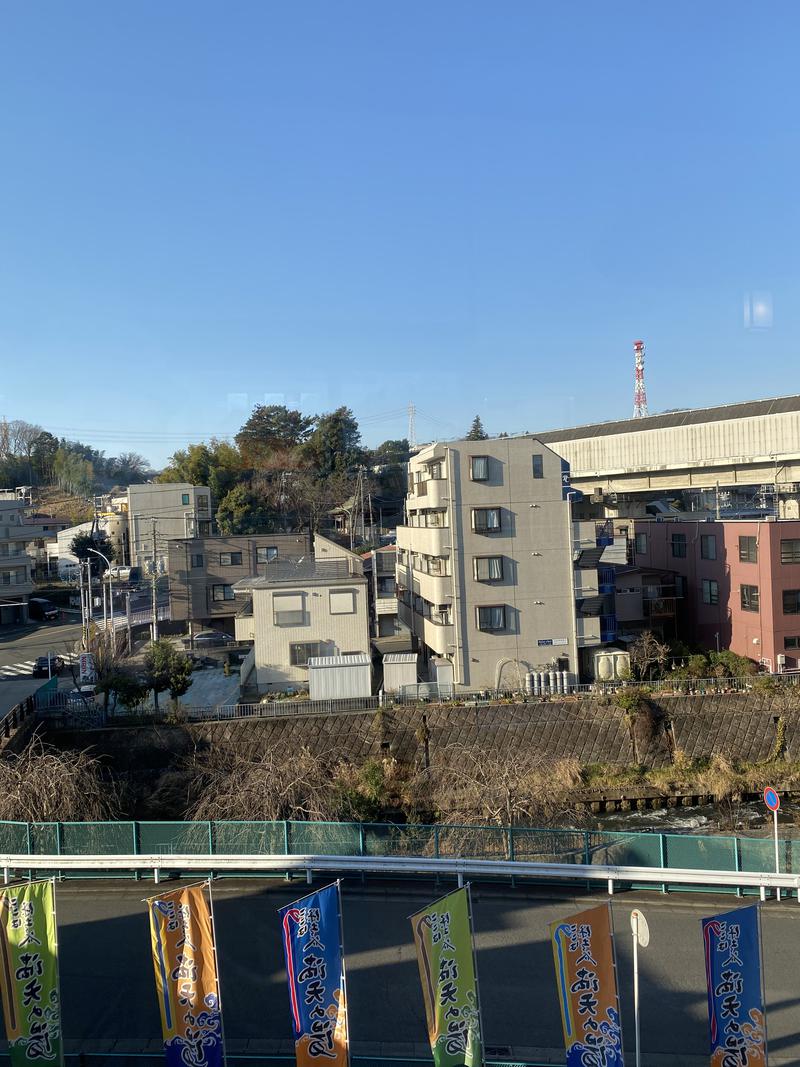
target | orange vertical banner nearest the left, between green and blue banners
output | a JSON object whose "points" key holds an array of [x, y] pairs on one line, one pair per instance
{"points": [[185, 959]]}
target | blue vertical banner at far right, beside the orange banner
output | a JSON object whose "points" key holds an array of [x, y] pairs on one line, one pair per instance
{"points": [[733, 969]]}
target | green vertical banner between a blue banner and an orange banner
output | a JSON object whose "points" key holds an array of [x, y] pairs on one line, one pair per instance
{"points": [[443, 938]]}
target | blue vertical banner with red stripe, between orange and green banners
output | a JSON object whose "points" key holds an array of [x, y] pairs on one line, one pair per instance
{"points": [[315, 967]]}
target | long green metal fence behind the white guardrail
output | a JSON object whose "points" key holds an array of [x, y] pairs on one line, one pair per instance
{"points": [[699, 853]]}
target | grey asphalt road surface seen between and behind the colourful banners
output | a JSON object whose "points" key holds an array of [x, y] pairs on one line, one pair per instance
{"points": [[108, 990]]}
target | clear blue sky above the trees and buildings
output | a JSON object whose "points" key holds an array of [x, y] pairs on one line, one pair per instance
{"points": [[477, 208]]}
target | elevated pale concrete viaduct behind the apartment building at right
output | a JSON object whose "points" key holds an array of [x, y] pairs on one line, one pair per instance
{"points": [[742, 444]]}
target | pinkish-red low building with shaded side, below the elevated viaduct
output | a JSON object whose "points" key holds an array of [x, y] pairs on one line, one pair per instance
{"points": [[740, 582]]}
